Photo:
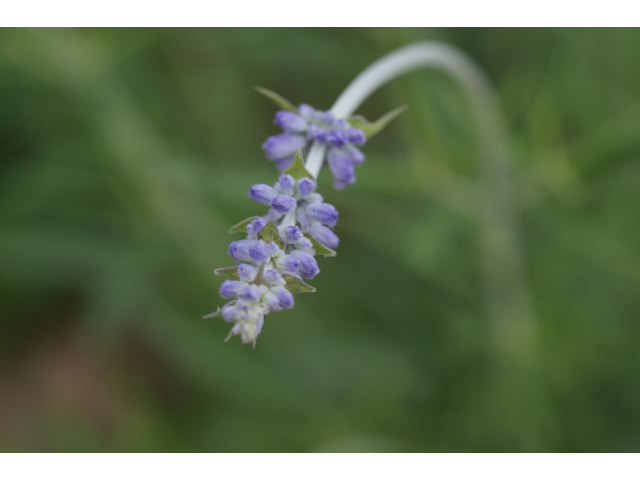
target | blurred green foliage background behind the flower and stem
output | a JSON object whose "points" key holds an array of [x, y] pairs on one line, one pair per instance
{"points": [[125, 155]]}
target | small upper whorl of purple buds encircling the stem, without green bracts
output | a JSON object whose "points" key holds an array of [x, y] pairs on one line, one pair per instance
{"points": [[308, 125]]}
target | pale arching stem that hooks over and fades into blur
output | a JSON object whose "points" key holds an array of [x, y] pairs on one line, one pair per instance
{"points": [[507, 296]]}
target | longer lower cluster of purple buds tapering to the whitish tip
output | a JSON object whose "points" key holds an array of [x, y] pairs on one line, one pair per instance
{"points": [[278, 252]]}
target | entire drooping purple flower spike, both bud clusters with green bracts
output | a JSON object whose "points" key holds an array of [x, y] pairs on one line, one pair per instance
{"points": [[280, 247]]}
